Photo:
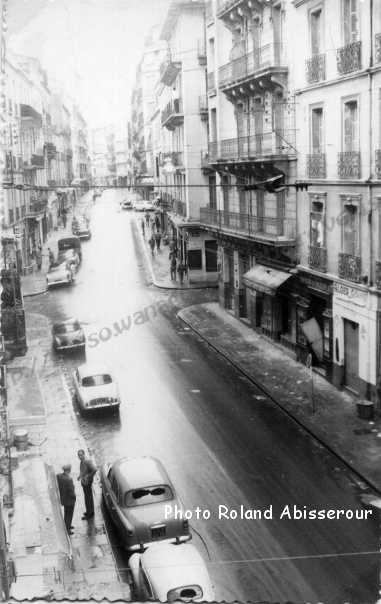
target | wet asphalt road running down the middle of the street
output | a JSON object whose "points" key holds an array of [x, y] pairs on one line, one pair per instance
{"points": [[221, 443]]}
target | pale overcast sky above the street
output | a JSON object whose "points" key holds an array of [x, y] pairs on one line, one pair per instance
{"points": [[92, 47]]}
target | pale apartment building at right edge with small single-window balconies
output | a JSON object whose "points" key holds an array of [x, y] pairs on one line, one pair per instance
{"points": [[338, 90]]}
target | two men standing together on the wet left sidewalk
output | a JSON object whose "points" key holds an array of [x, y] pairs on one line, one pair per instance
{"points": [[66, 488]]}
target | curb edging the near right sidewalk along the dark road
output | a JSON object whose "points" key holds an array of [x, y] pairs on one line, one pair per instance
{"points": [[295, 419]]}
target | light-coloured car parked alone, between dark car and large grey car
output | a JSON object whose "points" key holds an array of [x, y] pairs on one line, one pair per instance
{"points": [[95, 388]]}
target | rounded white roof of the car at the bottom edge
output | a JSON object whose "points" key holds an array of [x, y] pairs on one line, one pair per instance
{"points": [[169, 566]]}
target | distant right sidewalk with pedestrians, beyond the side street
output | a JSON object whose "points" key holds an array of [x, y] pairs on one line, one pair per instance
{"points": [[158, 262]]}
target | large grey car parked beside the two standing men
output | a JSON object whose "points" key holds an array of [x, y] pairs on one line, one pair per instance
{"points": [[135, 492]]}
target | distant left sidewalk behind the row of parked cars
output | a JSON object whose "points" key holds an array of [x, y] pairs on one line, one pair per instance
{"points": [[35, 283]]}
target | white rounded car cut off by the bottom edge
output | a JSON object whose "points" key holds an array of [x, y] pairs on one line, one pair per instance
{"points": [[166, 572]]}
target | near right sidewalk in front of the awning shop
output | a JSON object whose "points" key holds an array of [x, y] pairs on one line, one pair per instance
{"points": [[334, 423]]}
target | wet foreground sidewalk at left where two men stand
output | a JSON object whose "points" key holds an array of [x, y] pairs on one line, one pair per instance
{"points": [[48, 562]]}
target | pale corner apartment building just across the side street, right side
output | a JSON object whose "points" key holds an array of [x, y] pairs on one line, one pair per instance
{"points": [[184, 121]]}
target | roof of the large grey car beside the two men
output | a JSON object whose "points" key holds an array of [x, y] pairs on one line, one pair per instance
{"points": [[140, 472]]}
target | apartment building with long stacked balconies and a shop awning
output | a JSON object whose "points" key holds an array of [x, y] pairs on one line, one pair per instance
{"points": [[252, 139]]}
